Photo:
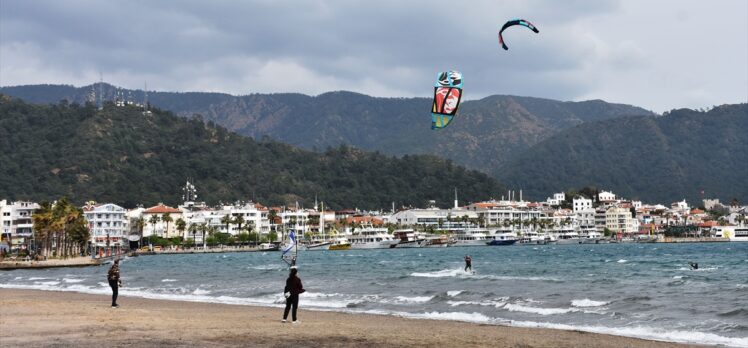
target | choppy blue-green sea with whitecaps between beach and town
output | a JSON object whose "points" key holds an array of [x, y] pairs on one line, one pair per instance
{"points": [[638, 290]]}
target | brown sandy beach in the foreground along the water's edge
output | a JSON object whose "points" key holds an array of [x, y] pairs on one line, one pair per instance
{"points": [[31, 318]]}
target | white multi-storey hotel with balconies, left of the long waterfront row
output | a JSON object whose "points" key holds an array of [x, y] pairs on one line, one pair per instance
{"points": [[108, 223]]}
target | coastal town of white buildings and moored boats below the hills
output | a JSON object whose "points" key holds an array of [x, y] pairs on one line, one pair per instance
{"points": [[604, 218]]}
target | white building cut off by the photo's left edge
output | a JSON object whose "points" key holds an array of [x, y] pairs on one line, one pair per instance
{"points": [[15, 221]]}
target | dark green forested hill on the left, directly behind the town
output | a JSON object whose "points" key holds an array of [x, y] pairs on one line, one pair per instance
{"points": [[121, 155]]}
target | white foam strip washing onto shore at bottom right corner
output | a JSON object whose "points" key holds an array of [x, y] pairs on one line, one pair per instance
{"points": [[692, 337]]}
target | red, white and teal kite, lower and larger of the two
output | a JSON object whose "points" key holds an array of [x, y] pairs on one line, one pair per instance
{"points": [[447, 95]]}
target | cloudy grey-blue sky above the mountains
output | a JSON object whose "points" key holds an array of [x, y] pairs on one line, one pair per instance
{"points": [[657, 54]]}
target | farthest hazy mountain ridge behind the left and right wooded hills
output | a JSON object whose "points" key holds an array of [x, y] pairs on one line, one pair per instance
{"points": [[486, 134]]}
